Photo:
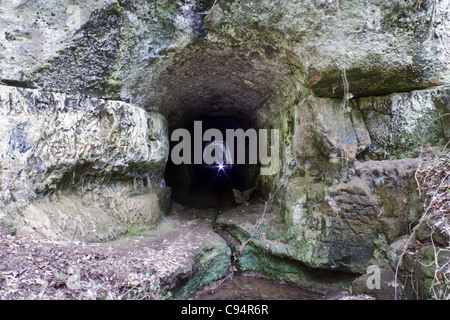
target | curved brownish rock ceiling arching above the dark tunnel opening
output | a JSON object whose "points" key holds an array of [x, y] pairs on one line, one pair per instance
{"points": [[223, 80]]}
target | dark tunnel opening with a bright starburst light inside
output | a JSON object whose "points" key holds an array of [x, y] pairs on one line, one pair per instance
{"points": [[208, 185]]}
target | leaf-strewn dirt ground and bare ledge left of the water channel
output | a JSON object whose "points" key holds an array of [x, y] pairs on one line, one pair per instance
{"points": [[140, 267]]}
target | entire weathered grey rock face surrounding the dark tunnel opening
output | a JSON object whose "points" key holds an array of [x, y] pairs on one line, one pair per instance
{"points": [[346, 82]]}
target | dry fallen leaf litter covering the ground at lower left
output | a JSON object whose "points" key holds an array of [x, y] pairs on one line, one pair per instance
{"points": [[55, 270]]}
